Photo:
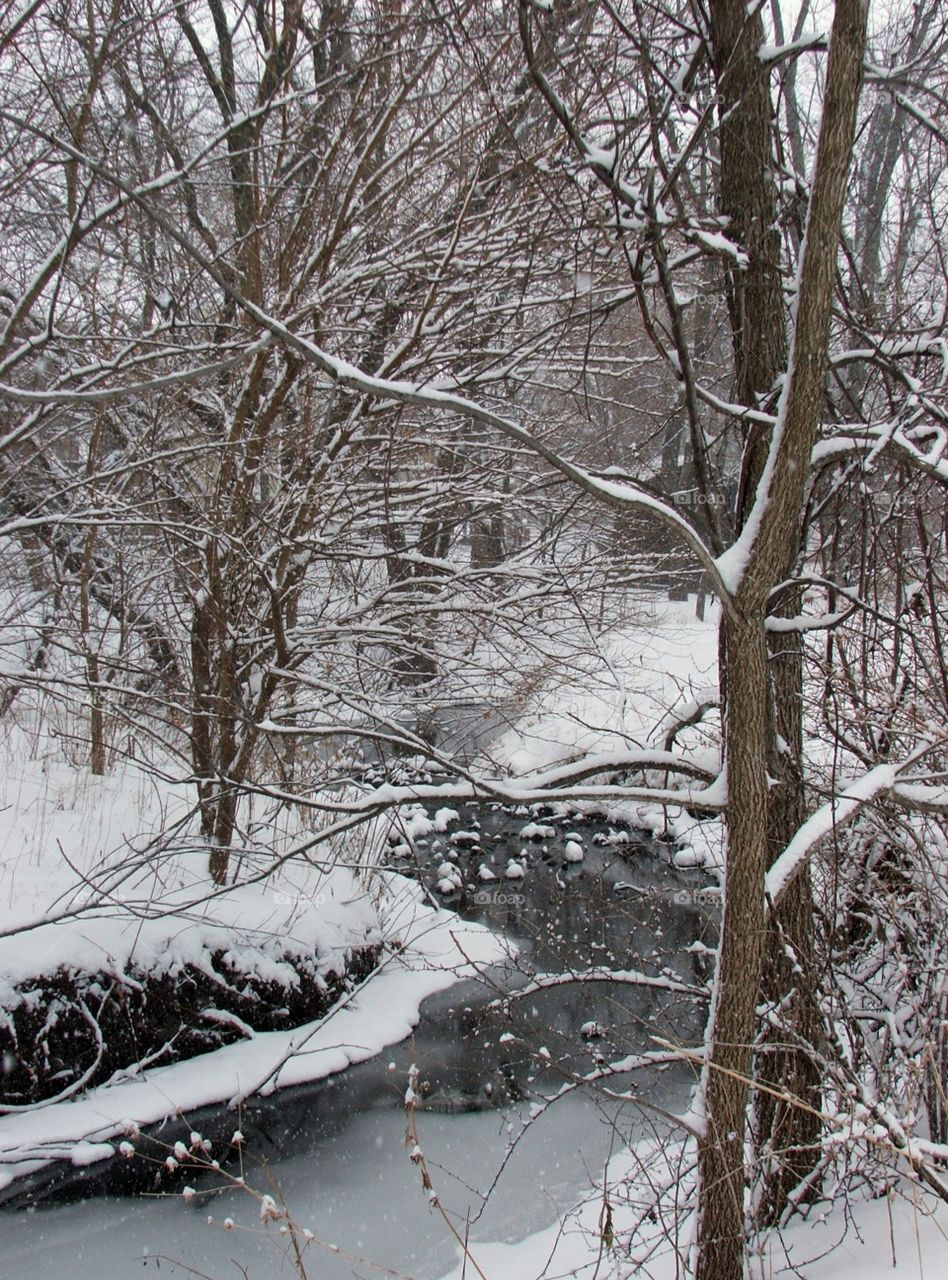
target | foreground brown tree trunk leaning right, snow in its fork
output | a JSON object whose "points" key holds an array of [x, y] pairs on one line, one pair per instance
{"points": [[770, 543]]}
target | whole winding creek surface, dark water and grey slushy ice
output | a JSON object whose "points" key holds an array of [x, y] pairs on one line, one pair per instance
{"points": [[337, 1150]]}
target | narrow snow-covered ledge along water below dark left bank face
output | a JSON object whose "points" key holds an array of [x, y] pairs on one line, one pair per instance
{"points": [[431, 950]]}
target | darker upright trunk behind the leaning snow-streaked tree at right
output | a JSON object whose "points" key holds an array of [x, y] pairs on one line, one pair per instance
{"points": [[759, 333]]}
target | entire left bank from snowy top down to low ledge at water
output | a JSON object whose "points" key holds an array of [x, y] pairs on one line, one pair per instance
{"points": [[103, 893]]}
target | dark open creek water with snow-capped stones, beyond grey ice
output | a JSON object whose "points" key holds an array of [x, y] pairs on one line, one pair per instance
{"points": [[625, 907]]}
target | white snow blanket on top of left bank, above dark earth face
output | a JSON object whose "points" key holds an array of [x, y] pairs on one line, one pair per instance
{"points": [[91, 871]]}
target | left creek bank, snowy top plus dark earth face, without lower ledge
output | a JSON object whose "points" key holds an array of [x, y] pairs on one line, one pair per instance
{"points": [[113, 950]]}
